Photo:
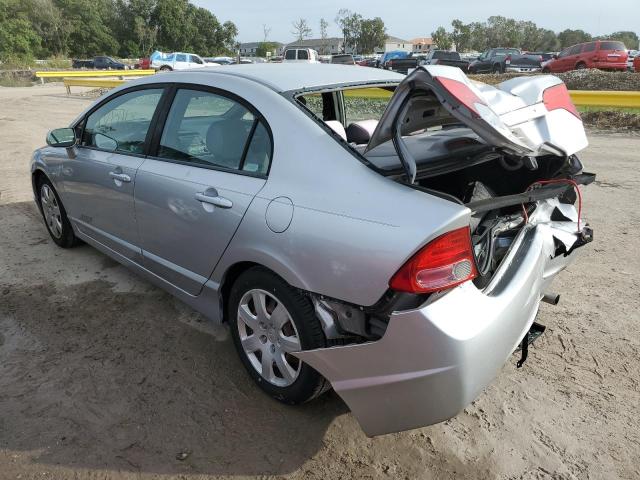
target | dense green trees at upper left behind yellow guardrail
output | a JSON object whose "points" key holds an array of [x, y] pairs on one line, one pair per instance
{"points": [[124, 28]]}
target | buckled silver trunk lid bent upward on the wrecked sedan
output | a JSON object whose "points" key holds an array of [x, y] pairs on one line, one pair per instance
{"points": [[516, 116]]}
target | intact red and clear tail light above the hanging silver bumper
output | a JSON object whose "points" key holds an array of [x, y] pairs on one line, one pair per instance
{"points": [[443, 263]]}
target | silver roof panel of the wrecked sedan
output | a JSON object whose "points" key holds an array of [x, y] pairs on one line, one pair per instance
{"points": [[284, 77]]}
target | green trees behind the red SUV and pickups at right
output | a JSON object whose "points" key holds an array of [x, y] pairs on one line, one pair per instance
{"points": [[500, 31]]}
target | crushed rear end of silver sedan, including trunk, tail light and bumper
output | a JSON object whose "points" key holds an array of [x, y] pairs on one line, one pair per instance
{"points": [[508, 155]]}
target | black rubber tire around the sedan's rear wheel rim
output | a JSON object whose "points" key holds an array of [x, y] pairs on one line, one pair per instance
{"points": [[309, 384]]}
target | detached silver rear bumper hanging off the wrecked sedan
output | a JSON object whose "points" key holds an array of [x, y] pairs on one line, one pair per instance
{"points": [[434, 360]]}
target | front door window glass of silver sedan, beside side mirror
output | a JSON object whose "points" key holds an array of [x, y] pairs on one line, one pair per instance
{"points": [[121, 125]]}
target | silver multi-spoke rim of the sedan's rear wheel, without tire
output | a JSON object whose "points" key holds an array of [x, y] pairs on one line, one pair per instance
{"points": [[269, 337]]}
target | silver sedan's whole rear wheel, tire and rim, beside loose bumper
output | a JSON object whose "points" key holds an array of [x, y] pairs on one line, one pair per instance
{"points": [[269, 321]]}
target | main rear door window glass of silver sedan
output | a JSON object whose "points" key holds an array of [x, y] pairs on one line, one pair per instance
{"points": [[206, 129]]}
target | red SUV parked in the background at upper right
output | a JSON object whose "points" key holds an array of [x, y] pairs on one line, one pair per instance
{"points": [[602, 54]]}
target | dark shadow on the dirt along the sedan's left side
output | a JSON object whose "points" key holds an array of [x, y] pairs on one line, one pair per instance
{"points": [[95, 377]]}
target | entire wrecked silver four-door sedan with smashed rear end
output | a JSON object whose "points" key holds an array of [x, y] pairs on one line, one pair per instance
{"points": [[389, 237]]}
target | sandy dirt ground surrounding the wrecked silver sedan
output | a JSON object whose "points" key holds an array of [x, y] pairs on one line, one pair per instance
{"points": [[104, 376]]}
